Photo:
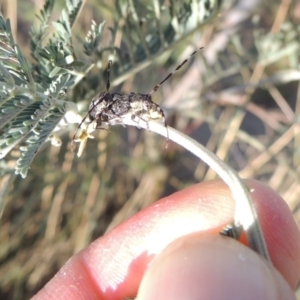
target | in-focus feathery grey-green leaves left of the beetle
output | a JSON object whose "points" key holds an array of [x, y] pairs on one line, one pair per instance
{"points": [[31, 102]]}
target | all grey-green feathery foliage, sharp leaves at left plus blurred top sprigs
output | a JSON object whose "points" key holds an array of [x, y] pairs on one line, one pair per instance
{"points": [[32, 93]]}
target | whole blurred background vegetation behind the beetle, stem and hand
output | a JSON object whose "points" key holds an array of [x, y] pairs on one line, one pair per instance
{"points": [[240, 97]]}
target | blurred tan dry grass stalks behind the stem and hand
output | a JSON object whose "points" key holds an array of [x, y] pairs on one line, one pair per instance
{"points": [[246, 111]]}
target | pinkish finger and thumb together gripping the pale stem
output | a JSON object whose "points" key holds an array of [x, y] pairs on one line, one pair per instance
{"points": [[173, 250]]}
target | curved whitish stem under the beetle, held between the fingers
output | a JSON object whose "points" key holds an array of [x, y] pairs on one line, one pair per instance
{"points": [[245, 213]]}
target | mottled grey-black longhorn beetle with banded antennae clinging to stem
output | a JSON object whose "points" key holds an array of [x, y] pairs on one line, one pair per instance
{"points": [[107, 108]]}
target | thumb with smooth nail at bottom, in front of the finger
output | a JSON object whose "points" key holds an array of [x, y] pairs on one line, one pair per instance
{"points": [[212, 267]]}
